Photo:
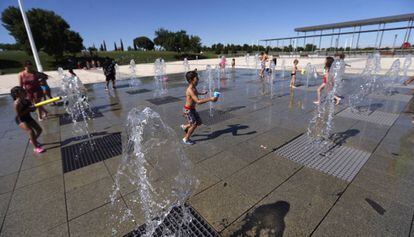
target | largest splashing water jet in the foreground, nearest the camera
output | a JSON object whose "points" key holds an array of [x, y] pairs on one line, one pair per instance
{"points": [[154, 163]]}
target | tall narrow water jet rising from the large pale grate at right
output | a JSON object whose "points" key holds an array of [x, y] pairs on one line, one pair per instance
{"points": [[320, 126]]}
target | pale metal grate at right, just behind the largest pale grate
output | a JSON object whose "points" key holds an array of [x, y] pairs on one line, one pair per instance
{"points": [[378, 117]]}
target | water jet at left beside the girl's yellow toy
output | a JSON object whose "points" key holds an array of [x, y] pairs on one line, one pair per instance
{"points": [[76, 104]]}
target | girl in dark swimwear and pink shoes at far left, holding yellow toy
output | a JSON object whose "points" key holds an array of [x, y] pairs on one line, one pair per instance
{"points": [[24, 120]]}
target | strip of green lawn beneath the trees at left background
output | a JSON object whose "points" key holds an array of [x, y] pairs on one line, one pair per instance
{"points": [[12, 61]]}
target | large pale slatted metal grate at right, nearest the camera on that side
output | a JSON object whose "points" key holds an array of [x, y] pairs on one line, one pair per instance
{"points": [[339, 161]]}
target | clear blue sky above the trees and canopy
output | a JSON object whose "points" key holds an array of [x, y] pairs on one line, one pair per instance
{"points": [[224, 21]]}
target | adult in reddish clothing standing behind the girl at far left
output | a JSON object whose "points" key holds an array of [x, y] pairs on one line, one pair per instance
{"points": [[29, 79]]}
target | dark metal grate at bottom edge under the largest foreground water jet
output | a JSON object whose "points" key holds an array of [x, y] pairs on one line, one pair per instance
{"points": [[170, 226]]}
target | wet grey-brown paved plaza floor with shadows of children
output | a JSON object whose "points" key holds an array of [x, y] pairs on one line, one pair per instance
{"points": [[258, 176]]}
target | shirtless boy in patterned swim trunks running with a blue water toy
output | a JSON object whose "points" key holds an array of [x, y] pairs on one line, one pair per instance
{"points": [[191, 99]]}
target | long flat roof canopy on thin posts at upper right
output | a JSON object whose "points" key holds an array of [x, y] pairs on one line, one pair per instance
{"points": [[371, 21]]}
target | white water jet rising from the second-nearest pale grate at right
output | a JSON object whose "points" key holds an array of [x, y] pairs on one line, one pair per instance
{"points": [[368, 83]]}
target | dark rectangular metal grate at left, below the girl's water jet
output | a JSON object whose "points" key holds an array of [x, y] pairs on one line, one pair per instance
{"points": [[85, 153]]}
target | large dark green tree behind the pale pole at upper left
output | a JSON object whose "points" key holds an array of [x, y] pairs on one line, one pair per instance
{"points": [[51, 32]]}
